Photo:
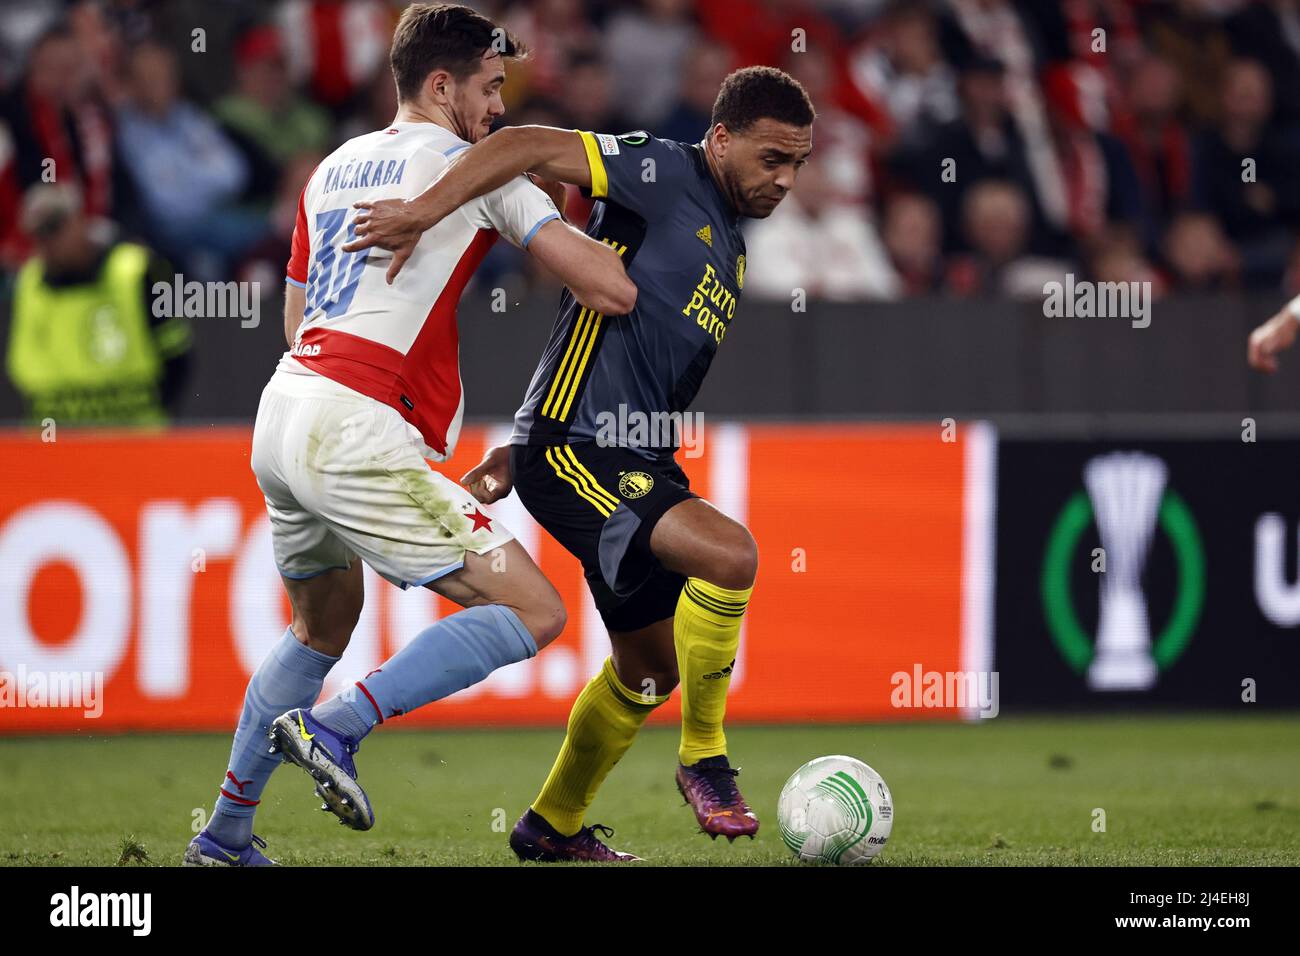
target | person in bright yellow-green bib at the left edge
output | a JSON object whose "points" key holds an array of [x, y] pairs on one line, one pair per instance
{"points": [[85, 344]]}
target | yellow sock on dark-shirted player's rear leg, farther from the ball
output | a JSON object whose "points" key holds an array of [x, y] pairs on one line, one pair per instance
{"points": [[603, 724]]}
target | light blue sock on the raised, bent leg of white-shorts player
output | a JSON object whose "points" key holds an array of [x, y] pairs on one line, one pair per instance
{"points": [[444, 659]]}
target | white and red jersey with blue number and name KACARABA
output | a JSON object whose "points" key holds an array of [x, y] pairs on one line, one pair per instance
{"points": [[397, 344]]}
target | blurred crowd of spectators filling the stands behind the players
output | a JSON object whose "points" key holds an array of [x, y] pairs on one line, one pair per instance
{"points": [[963, 148]]}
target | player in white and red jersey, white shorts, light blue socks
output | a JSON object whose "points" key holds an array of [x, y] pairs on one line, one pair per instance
{"points": [[369, 391]]}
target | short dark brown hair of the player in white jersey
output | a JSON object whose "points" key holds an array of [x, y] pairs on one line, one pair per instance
{"points": [[449, 37]]}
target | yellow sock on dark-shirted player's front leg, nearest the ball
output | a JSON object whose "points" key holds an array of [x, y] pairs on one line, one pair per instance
{"points": [[707, 631]]}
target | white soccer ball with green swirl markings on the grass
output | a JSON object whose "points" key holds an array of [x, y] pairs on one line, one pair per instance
{"points": [[835, 811]]}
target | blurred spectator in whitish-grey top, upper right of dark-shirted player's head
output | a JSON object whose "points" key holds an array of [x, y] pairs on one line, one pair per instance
{"points": [[903, 68]]}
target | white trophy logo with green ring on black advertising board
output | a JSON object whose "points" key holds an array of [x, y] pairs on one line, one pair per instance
{"points": [[1129, 499]]}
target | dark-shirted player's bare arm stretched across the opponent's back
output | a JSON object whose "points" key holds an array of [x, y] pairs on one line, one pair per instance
{"points": [[398, 224]]}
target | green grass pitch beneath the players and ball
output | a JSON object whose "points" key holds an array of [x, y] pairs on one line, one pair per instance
{"points": [[1012, 791]]}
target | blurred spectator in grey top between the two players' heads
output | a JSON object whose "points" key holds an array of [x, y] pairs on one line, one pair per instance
{"points": [[649, 44]]}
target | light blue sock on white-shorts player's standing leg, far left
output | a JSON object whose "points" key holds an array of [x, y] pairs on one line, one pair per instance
{"points": [[291, 677]]}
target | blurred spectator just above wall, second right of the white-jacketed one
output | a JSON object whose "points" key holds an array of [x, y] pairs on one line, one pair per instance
{"points": [[996, 224]]}
